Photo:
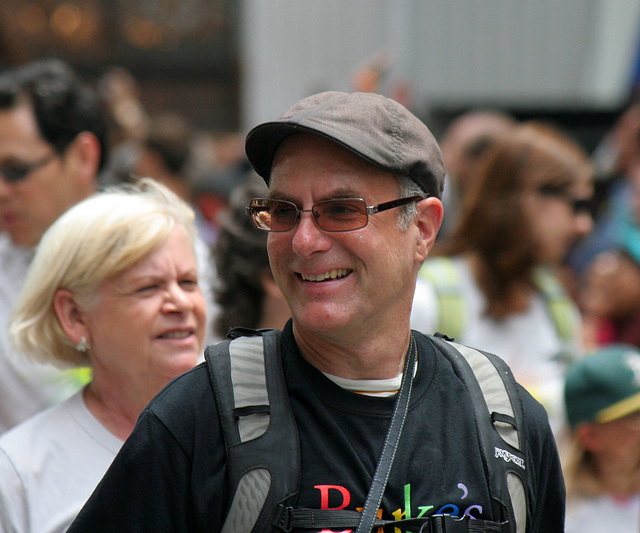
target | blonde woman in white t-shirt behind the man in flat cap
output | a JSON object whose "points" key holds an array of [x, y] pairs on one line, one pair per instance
{"points": [[113, 286]]}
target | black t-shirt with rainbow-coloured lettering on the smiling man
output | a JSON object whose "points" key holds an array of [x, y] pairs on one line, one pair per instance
{"points": [[171, 473]]}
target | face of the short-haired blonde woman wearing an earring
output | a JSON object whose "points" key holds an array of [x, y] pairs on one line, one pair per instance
{"points": [[147, 324]]}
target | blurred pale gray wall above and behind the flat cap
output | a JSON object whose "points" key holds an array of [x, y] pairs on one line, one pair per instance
{"points": [[562, 54]]}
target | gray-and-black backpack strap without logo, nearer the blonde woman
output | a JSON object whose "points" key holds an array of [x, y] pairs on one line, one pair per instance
{"points": [[261, 439]]}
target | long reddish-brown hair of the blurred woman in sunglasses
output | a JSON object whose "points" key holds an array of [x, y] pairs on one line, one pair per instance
{"points": [[492, 223]]}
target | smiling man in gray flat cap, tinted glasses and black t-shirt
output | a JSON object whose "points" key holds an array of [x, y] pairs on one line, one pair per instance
{"points": [[385, 427]]}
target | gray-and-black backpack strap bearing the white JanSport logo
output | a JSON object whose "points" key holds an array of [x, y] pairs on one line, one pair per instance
{"points": [[499, 419]]}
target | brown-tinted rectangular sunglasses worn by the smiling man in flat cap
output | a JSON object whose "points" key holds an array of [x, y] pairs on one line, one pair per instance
{"points": [[340, 214]]}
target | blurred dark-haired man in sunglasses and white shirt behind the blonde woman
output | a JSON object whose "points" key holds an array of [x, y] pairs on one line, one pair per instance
{"points": [[52, 147]]}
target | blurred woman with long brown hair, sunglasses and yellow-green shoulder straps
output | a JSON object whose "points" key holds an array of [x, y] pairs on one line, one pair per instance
{"points": [[497, 285]]}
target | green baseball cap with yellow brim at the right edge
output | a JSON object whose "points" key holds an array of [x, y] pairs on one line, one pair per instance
{"points": [[603, 386]]}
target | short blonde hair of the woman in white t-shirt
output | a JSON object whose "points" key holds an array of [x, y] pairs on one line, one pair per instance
{"points": [[94, 240]]}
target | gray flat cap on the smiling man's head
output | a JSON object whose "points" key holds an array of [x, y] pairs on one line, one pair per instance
{"points": [[375, 128]]}
